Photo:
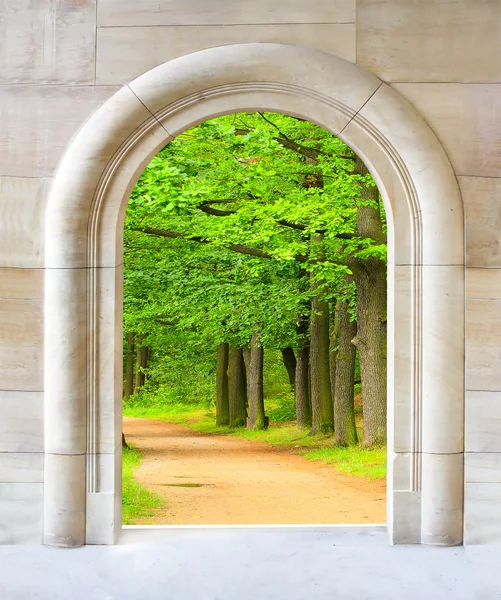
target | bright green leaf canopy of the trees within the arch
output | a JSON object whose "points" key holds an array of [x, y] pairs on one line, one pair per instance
{"points": [[264, 182]]}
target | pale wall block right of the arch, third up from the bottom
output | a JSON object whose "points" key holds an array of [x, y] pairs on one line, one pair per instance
{"points": [[483, 421]]}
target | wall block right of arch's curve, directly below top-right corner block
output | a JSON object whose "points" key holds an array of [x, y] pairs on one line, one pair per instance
{"points": [[466, 121]]}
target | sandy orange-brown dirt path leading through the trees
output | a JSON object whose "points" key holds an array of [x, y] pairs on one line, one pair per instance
{"points": [[229, 480]]}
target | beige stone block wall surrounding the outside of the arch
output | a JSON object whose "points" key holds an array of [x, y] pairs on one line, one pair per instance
{"points": [[59, 61]]}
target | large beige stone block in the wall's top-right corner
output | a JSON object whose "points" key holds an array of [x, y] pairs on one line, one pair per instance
{"points": [[430, 40]]}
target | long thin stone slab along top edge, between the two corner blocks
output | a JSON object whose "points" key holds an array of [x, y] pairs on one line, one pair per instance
{"points": [[230, 12]]}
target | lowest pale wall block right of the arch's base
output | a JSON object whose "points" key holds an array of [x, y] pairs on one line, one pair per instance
{"points": [[481, 513]]}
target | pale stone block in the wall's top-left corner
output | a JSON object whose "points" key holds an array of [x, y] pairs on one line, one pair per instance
{"points": [[47, 42]]}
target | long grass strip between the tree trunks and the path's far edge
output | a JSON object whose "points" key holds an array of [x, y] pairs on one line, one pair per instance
{"points": [[355, 461]]}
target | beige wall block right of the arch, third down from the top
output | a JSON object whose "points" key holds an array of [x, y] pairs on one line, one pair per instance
{"points": [[482, 203]]}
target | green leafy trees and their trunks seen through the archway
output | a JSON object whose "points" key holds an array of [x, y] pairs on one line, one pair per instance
{"points": [[255, 244]]}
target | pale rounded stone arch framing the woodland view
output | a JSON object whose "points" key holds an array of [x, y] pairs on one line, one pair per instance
{"points": [[84, 229]]}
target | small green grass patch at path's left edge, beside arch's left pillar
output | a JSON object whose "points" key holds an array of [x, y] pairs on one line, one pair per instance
{"points": [[137, 501]]}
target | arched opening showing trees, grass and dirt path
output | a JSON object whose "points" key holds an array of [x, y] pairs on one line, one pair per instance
{"points": [[259, 239]]}
